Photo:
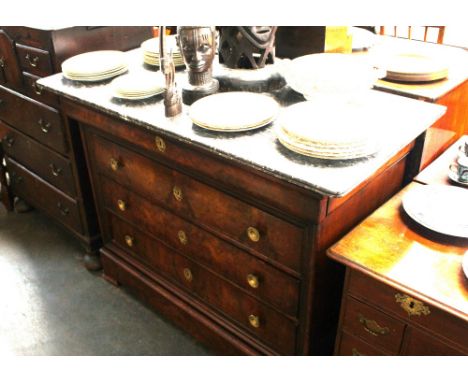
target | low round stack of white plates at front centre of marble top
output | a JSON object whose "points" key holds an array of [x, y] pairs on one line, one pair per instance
{"points": [[234, 111]]}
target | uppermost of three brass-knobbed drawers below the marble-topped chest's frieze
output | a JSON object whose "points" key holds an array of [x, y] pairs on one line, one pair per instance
{"points": [[200, 203]]}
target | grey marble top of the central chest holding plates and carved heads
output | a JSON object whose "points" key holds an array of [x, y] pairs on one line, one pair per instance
{"points": [[399, 120]]}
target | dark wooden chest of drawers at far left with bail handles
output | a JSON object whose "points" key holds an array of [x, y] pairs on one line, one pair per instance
{"points": [[44, 157]]}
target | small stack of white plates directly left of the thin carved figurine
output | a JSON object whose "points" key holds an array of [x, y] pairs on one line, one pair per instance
{"points": [[138, 85]]}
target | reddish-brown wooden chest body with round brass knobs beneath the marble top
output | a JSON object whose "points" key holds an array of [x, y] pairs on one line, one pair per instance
{"points": [[233, 255]]}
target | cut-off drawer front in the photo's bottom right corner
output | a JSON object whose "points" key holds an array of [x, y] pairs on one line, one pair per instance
{"points": [[423, 344]]}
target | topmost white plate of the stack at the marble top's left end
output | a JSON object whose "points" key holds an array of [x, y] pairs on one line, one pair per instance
{"points": [[94, 63]]}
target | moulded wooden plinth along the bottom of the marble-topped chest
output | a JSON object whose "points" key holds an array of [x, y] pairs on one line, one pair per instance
{"points": [[206, 326]]}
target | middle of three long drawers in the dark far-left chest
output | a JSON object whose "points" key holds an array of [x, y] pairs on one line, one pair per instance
{"points": [[49, 165]]}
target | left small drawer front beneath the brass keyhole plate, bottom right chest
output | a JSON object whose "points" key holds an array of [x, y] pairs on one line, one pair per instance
{"points": [[375, 327]]}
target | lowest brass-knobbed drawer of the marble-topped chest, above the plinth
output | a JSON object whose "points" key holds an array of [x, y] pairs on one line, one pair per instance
{"points": [[247, 312]]}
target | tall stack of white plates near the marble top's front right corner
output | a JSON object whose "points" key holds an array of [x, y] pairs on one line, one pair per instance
{"points": [[326, 131]]}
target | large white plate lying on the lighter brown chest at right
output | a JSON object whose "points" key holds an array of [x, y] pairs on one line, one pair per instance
{"points": [[441, 208]]}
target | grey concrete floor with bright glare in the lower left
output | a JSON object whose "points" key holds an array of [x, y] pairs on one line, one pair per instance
{"points": [[51, 305]]}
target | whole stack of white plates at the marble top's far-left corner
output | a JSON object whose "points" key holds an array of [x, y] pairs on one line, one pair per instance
{"points": [[95, 66]]}
